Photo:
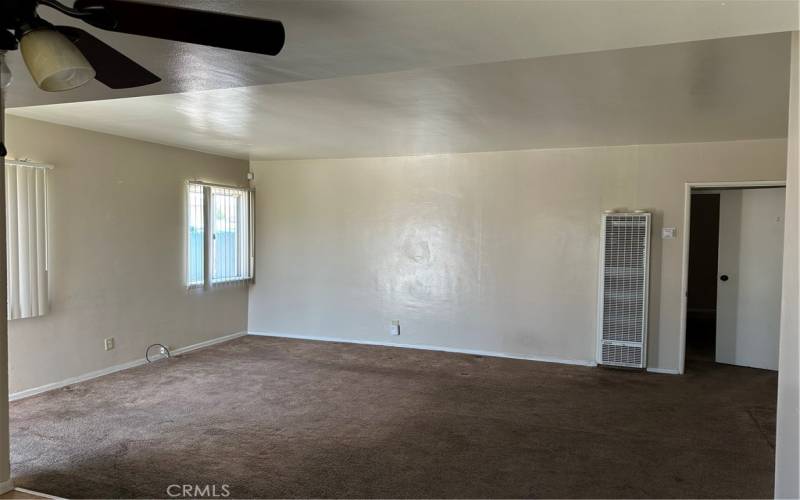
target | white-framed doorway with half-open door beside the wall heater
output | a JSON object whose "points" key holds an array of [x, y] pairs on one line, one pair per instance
{"points": [[732, 274]]}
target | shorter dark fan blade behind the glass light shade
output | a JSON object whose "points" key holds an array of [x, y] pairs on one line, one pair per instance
{"points": [[114, 69]]}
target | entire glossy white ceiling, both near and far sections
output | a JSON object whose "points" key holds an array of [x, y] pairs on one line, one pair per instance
{"points": [[401, 77]]}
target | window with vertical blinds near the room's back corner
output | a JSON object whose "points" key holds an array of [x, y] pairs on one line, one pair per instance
{"points": [[218, 238]]}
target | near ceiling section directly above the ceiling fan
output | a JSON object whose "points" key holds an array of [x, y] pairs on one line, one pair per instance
{"points": [[337, 38]]}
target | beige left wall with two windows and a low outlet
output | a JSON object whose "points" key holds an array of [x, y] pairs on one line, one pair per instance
{"points": [[116, 253]]}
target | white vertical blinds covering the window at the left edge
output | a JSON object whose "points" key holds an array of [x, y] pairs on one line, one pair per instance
{"points": [[26, 229]]}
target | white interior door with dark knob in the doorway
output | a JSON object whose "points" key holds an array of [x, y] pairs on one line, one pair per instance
{"points": [[749, 276]]}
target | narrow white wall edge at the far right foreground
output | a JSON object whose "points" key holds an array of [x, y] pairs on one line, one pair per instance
{"points": [[787, 454]]}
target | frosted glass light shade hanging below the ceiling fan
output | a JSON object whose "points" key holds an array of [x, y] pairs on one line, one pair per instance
{"points": [[54, 62]]}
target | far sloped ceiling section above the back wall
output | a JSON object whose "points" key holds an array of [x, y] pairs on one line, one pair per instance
{"points": [[735, 88]]}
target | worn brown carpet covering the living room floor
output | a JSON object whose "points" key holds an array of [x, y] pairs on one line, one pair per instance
{"points": [[287, 418]]}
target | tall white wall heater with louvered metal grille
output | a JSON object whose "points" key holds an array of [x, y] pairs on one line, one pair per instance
{"points": [[623, 290]]}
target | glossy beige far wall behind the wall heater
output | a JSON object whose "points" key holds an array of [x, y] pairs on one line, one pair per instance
{"points": [[489, 251]]}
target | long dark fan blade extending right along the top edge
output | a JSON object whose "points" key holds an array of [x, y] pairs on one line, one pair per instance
{"points": [[227, 31]]}
